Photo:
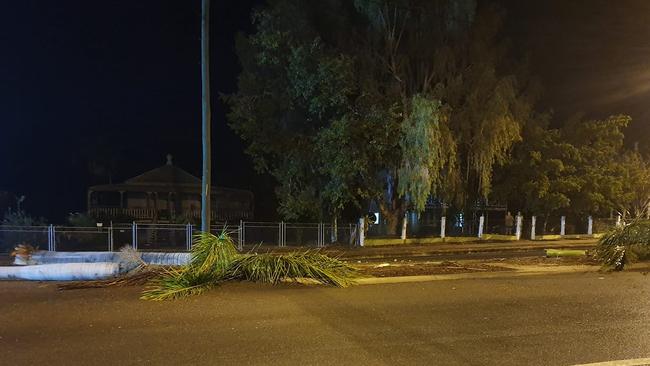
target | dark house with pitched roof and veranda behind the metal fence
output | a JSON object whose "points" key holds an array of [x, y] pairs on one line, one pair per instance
{"points": [[167, 194]]}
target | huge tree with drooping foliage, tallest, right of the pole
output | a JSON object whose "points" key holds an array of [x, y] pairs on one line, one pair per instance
{"points": [[346, 102]]}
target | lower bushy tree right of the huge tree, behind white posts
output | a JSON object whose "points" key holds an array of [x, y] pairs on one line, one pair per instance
{"points": [[581, 169]]}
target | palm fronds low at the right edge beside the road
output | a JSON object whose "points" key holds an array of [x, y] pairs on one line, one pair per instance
{"points": [[625, 245]]}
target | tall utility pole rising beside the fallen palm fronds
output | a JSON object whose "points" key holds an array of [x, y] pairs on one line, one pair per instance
{"points": [[205, 83]]}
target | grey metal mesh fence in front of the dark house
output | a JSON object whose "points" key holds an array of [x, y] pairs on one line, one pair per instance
{"points": [[172, 237]]}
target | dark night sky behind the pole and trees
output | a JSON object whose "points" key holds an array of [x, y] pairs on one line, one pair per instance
{"points": [[85, 80]]}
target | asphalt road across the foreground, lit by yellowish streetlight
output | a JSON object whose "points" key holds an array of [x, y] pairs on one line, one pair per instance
{"points": [[539, 320]]}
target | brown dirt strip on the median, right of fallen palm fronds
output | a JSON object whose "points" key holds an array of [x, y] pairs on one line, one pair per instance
{"points": [[427, 268]]}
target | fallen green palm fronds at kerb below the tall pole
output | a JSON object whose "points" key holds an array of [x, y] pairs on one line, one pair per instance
{"points": [[215, 260]]}
